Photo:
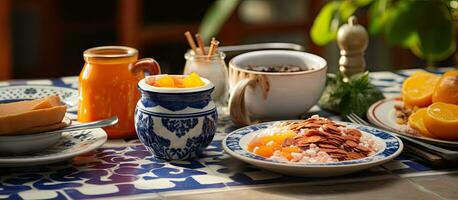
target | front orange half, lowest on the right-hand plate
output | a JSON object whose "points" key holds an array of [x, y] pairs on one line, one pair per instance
{"points": [[441, 120]]}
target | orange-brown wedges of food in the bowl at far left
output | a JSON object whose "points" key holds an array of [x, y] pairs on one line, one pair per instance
{"points": [[20, 116]]}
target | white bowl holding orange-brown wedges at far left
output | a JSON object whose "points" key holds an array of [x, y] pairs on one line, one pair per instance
{"points": [[24, 124]]}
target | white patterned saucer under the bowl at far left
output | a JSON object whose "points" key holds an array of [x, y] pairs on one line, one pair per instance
{"points": [[71, 144]]}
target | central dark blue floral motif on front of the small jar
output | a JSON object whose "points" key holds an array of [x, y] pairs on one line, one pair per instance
{"points": [[179, 126]]}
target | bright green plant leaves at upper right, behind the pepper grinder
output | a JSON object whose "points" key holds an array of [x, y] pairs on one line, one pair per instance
{"points": [[426, 27]]}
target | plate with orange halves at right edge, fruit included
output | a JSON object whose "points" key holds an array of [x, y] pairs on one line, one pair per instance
{"points": [[430, 106]]}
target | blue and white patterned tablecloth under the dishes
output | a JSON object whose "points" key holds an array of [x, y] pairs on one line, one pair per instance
{"points": [[125, 169]]}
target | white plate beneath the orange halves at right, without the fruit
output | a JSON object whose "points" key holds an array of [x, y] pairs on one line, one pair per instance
{"points": [[383, 114]]}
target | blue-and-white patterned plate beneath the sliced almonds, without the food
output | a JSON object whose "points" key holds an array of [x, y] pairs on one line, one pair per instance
{"points": [[236, 145]]}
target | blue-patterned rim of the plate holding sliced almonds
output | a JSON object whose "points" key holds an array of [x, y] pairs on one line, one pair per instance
{"points": [[317, 165]]}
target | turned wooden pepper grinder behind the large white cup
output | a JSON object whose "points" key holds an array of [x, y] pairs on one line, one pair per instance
{"points": [[352, 39]]}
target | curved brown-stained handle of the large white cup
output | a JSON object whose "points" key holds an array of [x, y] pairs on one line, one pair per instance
{"points": [[239, 114]]}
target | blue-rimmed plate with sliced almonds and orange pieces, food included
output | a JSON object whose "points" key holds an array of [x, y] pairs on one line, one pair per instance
{"points": [[316, 147]]}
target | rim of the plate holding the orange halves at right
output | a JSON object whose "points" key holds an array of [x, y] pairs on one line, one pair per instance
{"points": [[372, 117]]}
